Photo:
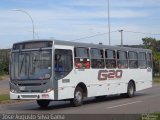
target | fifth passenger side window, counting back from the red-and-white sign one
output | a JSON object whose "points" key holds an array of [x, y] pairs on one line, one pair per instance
{"points": [[133, 59]]}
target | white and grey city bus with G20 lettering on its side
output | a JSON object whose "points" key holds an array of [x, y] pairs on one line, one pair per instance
{"points": [[48, 70]]}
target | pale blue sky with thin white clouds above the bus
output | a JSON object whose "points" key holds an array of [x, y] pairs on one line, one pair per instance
{"points": [[79, 20]]}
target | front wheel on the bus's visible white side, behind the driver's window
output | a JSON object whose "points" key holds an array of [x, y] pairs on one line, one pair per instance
{"points": [[78, 97]]}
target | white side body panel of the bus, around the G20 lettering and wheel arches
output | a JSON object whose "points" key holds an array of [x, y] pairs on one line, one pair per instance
{"points": [[95, 87]]}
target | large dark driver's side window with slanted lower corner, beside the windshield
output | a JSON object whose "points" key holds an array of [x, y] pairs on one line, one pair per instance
{"points": [[63, 63]]}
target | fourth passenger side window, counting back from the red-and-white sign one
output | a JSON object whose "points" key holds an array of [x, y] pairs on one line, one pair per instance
{"points": [[122, 61]]}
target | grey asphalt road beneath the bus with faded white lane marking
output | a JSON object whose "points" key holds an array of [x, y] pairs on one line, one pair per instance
{"points": [[146, 101]]}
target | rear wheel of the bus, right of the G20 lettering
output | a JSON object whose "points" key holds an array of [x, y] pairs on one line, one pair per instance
{"points": [[130, 90]]}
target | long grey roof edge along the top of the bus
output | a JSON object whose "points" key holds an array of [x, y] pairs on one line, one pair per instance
{"points": [[90, 45]]}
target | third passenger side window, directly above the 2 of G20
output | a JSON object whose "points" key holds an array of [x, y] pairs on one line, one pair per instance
{"points": [[110, 58]]}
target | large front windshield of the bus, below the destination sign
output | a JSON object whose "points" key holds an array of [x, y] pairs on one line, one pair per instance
{"points": [[31, 65]]}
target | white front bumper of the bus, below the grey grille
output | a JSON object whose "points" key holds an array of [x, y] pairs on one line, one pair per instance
{"points": [[32, 96]]}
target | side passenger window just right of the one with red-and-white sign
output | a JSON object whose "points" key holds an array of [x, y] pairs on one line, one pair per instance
{"points": [[97, 58]]}
